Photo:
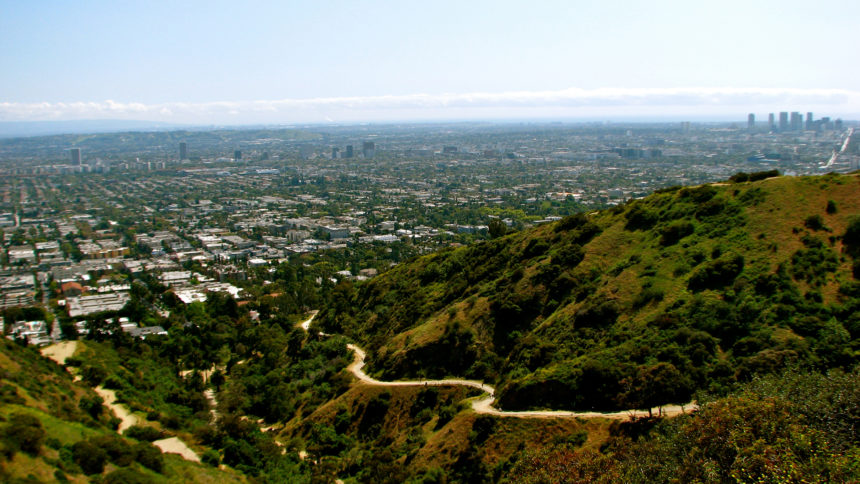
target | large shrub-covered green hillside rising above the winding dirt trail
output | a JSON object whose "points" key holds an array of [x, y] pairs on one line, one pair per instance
{"points": [[689, 289]]}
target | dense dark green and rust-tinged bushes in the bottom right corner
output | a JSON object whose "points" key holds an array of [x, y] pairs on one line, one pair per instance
{"points": [[793, 427]]}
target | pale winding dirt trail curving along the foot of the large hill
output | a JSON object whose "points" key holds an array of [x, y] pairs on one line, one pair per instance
{"points": [[485, 405]]}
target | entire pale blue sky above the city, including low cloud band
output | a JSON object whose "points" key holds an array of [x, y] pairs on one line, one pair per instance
{"points": [[326, 61]]}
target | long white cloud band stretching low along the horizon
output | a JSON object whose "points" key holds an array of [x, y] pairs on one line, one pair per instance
{"points": [[572, 102]]}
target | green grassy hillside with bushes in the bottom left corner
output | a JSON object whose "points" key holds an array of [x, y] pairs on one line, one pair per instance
{"points": [[54, 429]]}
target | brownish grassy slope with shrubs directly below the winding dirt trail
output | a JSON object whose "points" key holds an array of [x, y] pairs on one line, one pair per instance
{"points": [[417, 441]]}
